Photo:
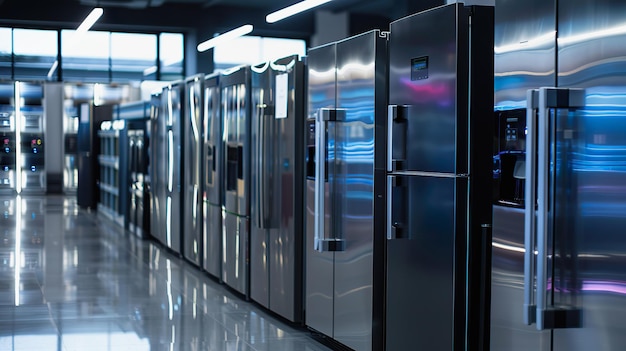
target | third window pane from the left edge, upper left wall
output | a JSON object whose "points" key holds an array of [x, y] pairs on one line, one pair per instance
{"points": [[86, 57]]}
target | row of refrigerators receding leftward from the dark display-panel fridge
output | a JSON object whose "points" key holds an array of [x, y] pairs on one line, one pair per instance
{"points": [[349, 191]]}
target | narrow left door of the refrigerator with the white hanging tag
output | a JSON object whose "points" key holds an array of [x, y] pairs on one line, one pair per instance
{"points": [[261, 191]]}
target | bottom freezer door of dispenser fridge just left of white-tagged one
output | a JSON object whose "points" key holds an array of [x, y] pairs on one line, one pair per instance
{"points": [[235, 258]]}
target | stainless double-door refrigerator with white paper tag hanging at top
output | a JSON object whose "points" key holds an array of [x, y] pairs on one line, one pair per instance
{"points": [[277, 195]]}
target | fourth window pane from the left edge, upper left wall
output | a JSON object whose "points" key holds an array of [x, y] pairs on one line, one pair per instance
{"points": [[133, 56]]}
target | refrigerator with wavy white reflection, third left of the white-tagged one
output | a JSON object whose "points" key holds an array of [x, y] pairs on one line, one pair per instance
{"points": [[192, 159]]}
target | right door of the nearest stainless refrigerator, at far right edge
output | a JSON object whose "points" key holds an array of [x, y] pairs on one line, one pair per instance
{"points": [[591, 56]]}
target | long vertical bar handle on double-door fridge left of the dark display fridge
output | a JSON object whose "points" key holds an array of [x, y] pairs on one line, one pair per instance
{"points": [[322, 242]]}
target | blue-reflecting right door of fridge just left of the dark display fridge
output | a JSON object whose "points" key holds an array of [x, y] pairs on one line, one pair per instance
{"points": [[354, 189]]}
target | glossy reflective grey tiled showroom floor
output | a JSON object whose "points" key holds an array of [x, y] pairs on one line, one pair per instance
{"points": [[82, 284]]}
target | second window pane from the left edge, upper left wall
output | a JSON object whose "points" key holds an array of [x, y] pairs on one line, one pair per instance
{"points": [[35, 53]]}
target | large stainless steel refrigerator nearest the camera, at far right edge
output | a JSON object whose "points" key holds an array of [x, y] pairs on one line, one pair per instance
{"points": [[558, 268]]}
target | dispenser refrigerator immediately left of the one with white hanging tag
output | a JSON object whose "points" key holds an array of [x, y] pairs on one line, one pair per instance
{"points": [[236, 114]]}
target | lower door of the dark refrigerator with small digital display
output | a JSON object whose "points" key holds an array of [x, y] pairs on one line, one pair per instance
{"points": [[421, 265]]}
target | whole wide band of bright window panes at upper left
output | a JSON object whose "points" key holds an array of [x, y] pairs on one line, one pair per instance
{"points": [[93, 57]]}
